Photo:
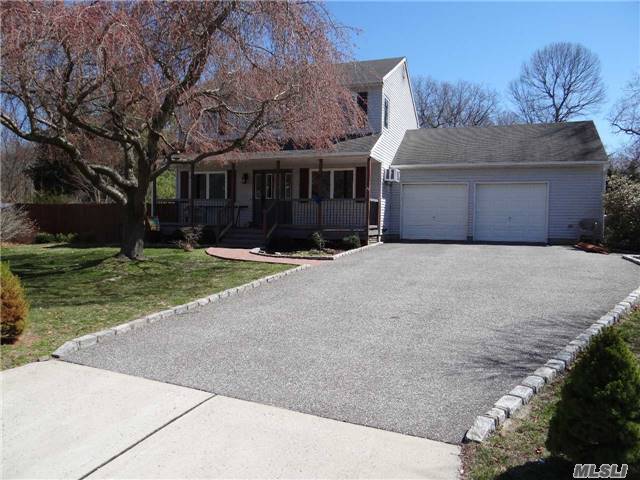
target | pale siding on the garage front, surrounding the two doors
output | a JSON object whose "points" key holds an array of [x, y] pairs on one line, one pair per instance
{"points": [[574, 193]]}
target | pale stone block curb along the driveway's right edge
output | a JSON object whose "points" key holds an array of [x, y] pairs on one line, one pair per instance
{"points": [[484, 425]]}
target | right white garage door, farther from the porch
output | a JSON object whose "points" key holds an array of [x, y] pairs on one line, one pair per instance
{"points": [[511, 212]]}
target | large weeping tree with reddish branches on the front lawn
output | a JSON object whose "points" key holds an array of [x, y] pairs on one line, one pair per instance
{"points": [[157, 79]]}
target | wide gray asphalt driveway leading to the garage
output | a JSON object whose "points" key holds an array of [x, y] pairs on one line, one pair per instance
{"points": [[413, 338]]}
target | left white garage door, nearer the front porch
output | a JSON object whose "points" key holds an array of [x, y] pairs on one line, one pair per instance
{"points": [[434, 212]]}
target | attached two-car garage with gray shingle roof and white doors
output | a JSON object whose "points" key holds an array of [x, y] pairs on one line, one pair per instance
{"points": [[532, 183]]}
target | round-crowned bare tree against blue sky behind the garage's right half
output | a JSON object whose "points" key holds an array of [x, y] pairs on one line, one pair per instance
{"points": [[561, 81]]}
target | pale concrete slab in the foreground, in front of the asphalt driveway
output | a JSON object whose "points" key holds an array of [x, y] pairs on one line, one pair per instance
{"points": [[61, 420]]}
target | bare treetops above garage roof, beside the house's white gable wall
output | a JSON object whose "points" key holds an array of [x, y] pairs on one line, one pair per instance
{"points": [[445, 104]]}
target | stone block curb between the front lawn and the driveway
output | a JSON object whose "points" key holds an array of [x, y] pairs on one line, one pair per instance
{"points": [[91, 339]]}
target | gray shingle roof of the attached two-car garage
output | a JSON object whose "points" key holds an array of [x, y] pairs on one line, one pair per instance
{"points": [[548, 142]]}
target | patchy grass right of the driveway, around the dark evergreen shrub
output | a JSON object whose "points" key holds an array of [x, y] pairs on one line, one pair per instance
{"points": [[518, 452]]}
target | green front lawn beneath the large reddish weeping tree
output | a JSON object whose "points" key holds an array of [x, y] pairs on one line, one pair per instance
{"points": [[75, 291]]}
